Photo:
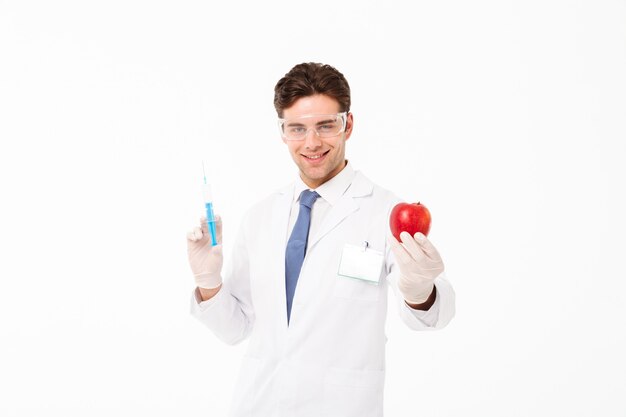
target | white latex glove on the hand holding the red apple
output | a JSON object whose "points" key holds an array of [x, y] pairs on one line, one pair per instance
{"points": [[419, 264]]}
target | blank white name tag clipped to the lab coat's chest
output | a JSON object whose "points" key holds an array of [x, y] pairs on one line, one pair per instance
{"points": [[361, 263]]}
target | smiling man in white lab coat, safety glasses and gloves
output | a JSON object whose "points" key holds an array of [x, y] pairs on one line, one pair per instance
{"points": [[308, 285]]}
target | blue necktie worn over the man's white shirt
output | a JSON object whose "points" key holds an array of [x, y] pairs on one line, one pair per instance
{"points": [[296, 247]]}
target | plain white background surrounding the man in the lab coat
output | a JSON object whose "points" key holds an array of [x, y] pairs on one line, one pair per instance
{"points": [[506, 118]]}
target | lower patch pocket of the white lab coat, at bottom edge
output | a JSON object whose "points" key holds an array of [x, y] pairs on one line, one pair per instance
{"points": [[349, 393]]}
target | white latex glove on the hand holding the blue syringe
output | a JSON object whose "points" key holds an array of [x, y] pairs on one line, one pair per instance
{"points": [[205, 260]]}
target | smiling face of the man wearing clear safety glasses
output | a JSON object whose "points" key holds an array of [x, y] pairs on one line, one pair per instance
{"points": [[319, 159]]}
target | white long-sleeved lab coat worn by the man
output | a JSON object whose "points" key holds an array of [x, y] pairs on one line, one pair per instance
{"points": [[330, 360]]}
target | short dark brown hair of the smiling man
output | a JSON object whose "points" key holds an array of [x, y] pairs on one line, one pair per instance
{"points": [[308, 79]]}
